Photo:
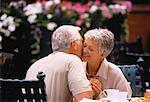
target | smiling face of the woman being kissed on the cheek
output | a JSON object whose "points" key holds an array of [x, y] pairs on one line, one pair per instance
{"points": [[91, 53]]}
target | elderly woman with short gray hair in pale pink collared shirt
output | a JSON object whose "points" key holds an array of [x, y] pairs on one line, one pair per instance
{"points": [[97, 46]]}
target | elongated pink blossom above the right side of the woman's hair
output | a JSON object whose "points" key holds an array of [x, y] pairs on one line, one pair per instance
{"points": [[106, 12]]}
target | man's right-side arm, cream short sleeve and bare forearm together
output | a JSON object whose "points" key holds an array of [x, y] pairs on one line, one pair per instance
{"points": [[78, 83]]}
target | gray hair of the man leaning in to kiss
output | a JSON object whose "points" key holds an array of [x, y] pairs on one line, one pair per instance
{"points": [[63, 36]]}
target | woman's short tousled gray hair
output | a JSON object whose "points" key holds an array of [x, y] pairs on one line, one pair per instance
{"points": [[103, 38]]}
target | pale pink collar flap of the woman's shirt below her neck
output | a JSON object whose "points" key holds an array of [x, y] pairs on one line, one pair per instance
{"points": [[103, 70]]}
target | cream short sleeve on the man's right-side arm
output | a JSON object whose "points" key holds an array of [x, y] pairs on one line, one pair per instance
{"points": [[77, 79]]}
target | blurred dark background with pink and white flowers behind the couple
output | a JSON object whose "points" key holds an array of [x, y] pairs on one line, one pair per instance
{"points": [[26, 28]]}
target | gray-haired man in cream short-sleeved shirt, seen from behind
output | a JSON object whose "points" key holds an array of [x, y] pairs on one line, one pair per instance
{"points": [[65, 75]]}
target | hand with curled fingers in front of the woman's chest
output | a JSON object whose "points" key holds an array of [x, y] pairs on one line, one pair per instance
{"points": [[96, 87]]}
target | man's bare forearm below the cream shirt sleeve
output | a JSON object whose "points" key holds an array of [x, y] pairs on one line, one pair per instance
{"points": [[80, 96]]}
